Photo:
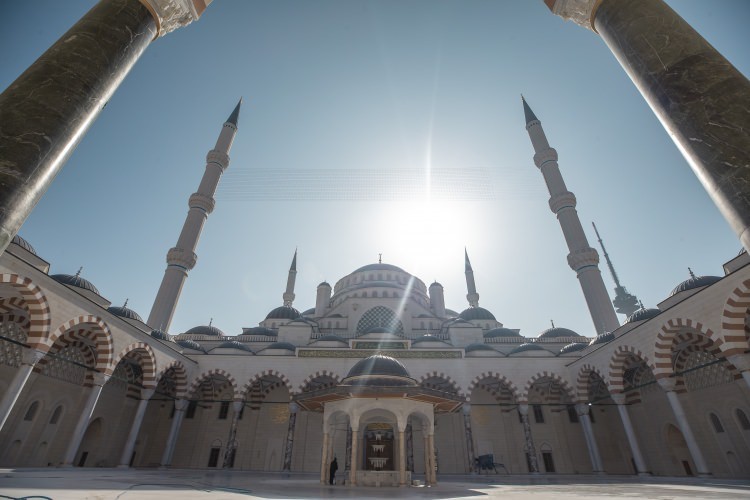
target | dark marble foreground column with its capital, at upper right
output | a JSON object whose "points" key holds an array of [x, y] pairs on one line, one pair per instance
{"points": [[699, 97]]}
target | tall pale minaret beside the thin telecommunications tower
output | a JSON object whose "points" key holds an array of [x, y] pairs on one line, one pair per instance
{"points": [[583, 259]]}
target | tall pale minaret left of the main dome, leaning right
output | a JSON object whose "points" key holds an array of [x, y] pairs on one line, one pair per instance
{"points": [[182, 257]]}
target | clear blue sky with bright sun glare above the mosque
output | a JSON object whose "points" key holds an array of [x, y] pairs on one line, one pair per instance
{"points": [[374, 85]]}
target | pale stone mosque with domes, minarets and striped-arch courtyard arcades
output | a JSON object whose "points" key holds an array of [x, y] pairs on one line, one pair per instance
{"points": [[380, 374]]}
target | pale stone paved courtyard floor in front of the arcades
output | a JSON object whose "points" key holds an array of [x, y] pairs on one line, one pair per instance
{"points": [[179, 484]]}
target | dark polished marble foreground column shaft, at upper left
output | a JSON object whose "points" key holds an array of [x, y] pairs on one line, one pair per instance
{"points": [[49, 108]]}
